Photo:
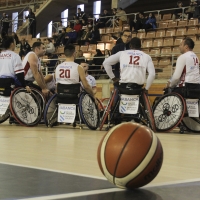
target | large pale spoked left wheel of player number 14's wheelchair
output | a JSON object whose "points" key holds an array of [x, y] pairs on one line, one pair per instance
{"points": [[169, 111]]}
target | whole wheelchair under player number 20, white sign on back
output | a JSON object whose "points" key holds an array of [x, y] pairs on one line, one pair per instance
{"points": [[67, 95]]}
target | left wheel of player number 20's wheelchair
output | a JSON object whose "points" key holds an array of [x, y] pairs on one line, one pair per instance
{"points": [[51, 112]]}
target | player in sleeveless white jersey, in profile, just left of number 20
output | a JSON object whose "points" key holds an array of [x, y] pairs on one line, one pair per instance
{"points": [[32, 67]]}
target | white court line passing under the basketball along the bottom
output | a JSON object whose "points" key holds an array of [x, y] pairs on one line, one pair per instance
{"points": [[86, 193]]}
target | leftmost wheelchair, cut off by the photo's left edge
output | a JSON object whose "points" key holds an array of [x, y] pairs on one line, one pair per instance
{"points": [[19, 105]]}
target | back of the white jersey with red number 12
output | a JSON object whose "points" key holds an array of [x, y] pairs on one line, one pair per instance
{"points": [[133, 66]]}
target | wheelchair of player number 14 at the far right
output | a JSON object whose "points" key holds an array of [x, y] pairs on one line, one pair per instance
{"points": [[171, 111]]}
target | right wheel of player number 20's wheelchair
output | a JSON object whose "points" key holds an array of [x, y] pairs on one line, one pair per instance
{"points": [[89, 111]]}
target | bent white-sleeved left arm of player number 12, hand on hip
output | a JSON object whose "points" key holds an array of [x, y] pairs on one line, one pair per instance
{"points": [[112, 60]]}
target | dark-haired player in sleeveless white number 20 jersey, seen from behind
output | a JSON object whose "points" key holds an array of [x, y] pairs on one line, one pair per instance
{"points": [[70, 72]]}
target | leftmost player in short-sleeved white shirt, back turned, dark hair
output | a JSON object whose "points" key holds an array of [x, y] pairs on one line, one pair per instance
{"points": [[10, 63]]}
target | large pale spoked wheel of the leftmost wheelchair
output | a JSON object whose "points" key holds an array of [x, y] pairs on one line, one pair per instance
{"points": [[25, 107]]}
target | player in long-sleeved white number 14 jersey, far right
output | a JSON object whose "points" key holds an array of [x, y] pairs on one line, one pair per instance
{"points": [[187, 70]]}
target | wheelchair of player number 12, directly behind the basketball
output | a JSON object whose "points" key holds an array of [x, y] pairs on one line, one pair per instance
{"points": [[114, 111]]}
